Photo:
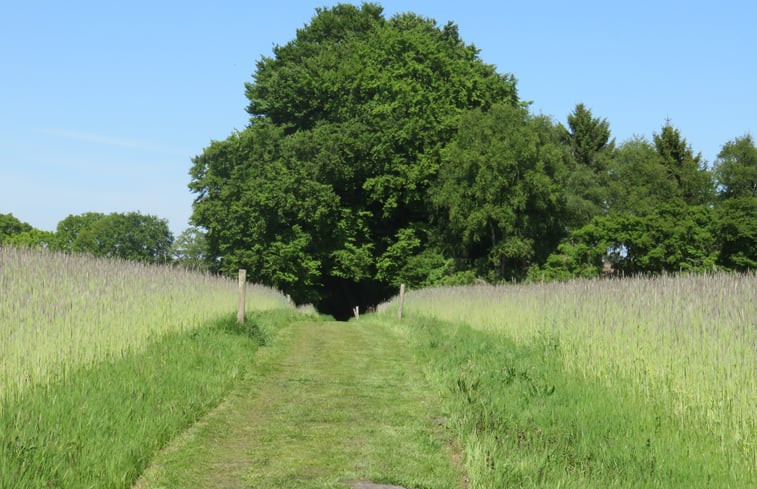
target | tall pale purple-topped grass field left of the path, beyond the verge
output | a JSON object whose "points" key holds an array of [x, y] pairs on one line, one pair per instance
{"points": [[60, 312]]}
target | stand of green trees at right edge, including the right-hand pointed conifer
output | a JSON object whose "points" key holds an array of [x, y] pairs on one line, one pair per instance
{"points": [[667, 212]]}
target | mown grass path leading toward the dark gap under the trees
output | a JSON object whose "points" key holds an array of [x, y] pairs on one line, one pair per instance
{"points": [[327, 406]]}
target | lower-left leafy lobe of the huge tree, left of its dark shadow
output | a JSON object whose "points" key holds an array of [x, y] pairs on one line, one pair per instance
{"points": [[264, 211]]}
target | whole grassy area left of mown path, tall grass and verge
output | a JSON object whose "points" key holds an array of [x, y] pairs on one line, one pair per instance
{"points": [[102, 362]]}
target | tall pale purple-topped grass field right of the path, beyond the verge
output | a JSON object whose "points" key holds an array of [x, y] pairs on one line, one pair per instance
{"points": [[683, 346]]}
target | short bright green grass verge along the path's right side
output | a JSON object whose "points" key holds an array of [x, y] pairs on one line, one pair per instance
{"points": [[524, 422]]}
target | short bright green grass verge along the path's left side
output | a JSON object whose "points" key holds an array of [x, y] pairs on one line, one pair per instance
{"points": [[100, 426]]}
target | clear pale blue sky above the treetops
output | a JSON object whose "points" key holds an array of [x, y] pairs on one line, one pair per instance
{"points": [[103, 104]]}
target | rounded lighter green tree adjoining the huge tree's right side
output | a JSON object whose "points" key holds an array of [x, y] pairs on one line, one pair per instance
{"points": [[501, 190]]}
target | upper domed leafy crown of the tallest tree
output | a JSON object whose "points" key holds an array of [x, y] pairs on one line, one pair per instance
{"points": [[396, 87]]}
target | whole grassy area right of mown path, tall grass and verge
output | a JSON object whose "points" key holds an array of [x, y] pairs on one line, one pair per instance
{"points": [[637, 382]]}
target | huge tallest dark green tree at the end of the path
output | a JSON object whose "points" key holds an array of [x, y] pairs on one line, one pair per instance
{"points": [[329, 180]]}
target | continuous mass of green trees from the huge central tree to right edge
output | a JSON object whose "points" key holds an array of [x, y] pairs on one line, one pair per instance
{"points": [[382, 151]]}
